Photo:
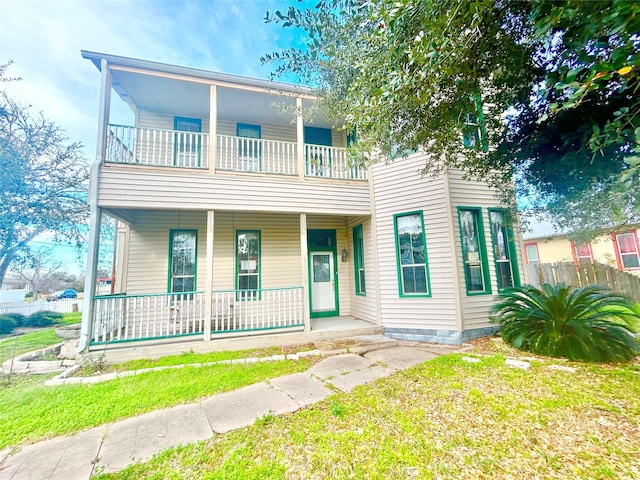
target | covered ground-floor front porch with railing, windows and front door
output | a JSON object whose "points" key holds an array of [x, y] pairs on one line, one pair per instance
{"points": [[205, 275]]}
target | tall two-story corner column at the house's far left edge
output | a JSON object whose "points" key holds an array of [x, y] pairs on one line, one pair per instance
{"points": [[95, 212]]}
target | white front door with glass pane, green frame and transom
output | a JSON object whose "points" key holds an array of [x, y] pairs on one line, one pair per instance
{"points": [[323, 280]]}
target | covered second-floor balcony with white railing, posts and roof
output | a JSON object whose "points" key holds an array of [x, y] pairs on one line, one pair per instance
{"points": [[203, 122]]}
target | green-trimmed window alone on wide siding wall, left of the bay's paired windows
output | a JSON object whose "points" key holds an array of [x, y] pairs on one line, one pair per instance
{"points": [[411, 252]]}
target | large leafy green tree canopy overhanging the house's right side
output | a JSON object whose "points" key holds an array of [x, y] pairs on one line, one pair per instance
{"points": [[545, 90]]}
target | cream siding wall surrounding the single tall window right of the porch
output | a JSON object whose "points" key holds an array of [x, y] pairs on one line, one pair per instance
{"points": [[399, 188]]}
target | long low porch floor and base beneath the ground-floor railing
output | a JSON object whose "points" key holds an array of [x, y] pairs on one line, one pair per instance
{"points": [[321, 329]]}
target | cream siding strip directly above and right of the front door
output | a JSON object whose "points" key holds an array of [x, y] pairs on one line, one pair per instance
{"points": [[345, 282]]}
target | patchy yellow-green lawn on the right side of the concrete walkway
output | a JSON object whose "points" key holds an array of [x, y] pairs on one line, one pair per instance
{"points": [[446, 418]]}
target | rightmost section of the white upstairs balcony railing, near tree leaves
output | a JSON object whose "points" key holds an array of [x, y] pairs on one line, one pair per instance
{"points": [[331, 162]]}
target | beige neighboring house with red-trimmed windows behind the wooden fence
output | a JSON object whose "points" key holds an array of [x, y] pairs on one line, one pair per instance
{"points": [[620, 249]]}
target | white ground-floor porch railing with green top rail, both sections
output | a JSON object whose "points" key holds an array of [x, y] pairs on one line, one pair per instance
{"points": [[119, 318]]}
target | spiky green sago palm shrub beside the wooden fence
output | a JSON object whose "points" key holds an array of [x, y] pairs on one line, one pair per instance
{"points": [[589, 323]]}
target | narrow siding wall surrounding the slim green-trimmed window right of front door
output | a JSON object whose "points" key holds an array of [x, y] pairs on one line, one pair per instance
{"points": [[363, 306]]}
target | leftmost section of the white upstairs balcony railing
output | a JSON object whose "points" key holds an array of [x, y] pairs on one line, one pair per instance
{"points": [[157, 147]]}
